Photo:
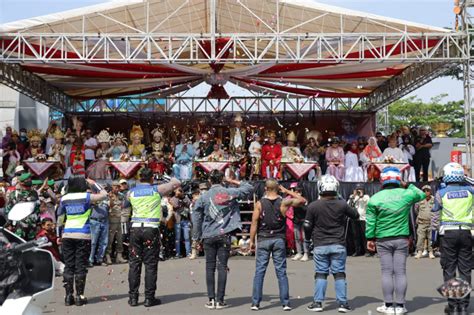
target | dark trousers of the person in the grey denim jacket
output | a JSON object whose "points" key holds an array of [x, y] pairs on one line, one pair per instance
{"points": [[217, 251]]}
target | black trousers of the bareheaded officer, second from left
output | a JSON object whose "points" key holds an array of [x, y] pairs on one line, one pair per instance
{"points": [[144, 249]]}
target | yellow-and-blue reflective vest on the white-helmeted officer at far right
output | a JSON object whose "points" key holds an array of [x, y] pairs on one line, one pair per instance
{"points": [[457, 209]]}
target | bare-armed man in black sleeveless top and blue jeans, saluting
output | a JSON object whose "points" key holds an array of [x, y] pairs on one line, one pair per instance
{"points": [[269, 223]]}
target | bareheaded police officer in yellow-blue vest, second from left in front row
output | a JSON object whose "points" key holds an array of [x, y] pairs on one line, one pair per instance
{"points": [[145, 202]]}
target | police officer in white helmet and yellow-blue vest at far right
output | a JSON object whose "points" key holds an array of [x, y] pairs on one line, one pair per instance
{"points": [[455, 203]]}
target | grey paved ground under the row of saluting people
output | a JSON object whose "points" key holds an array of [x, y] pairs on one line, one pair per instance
{"points": [[181, 286]]}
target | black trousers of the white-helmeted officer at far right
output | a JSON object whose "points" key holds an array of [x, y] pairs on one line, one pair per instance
{"points": [[456, 253]]}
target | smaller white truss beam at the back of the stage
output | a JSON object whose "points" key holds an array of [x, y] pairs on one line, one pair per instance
{"points": [[258, 104]]}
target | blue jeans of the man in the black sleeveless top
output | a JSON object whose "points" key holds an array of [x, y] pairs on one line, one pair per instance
{"points": [[277, 248]]}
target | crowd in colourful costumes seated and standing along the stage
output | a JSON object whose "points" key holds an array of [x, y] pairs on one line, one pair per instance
{"points": [[251, 153]]}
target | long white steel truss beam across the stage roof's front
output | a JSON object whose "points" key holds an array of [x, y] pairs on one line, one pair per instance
{"points": [[252, 48]]}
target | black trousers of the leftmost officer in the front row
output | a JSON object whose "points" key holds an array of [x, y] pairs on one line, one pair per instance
{"points": [[76, 256]]}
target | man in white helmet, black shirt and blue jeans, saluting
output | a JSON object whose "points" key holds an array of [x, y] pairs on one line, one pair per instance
{"points": [[325, 223]]}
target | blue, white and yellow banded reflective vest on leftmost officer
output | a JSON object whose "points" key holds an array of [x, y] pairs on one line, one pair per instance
{"points": [[77, 207]]}
